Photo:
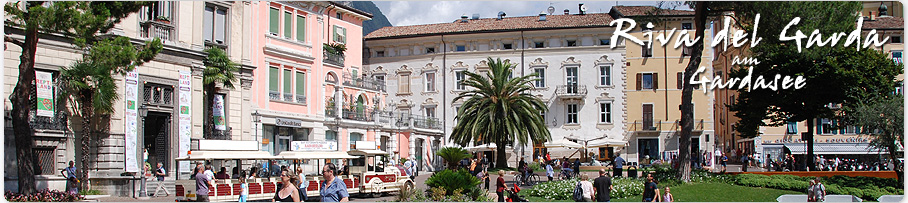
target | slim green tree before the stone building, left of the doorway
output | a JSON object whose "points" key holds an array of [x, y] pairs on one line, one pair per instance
{"points": [[92, 88]]}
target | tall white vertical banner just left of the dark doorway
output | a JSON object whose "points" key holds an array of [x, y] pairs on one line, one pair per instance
{"points": [[132, 92]]}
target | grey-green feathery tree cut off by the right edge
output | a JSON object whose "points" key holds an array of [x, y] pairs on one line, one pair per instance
{"points": [[883, 118]]}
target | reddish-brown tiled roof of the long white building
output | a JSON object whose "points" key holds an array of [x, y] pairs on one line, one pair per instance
{"points": [[495, 25]]}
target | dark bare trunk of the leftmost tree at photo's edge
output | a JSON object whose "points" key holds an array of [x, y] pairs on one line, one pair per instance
{"points": [[22, 130]]}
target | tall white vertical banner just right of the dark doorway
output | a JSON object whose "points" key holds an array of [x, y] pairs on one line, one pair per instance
{"points": [[185, 117]]}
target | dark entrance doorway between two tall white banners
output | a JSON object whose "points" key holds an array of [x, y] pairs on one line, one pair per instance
{"points": [[156, 138]]}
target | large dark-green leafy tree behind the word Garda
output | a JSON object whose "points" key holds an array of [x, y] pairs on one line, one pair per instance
{"points": [[834, 74]]}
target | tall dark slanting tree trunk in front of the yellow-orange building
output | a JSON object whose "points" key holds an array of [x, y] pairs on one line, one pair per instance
{"points": [[687, 116]]}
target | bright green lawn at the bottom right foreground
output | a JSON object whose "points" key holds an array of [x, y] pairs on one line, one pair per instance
{"points": [[718, 192]]}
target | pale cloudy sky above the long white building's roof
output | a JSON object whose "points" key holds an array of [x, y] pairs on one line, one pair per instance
{"points": [[402, 13]]}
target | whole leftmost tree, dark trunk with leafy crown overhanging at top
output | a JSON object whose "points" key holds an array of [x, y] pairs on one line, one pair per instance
{"points": [[78, 20]]}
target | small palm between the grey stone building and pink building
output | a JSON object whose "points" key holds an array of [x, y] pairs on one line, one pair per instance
{"points": [[219, 69]]}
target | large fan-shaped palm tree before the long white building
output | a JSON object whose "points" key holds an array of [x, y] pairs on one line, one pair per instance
{"points": [[499, 109]]}
